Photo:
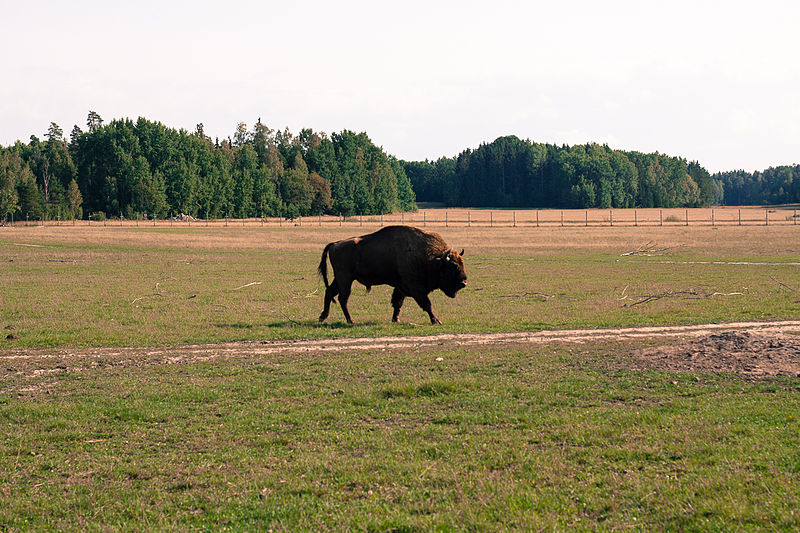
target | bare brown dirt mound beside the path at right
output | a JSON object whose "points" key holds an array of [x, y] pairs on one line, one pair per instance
{"points": [[752, 354]]}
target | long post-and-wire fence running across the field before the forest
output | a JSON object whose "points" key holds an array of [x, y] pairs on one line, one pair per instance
{"points": [[724, 216]]}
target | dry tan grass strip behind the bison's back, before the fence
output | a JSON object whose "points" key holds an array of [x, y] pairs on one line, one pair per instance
{"points": [[717, 240]]}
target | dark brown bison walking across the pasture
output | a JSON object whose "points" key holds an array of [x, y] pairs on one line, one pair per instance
{"points": [[413, 261]]}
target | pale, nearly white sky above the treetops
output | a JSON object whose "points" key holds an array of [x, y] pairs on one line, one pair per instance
{"points": [[712, 81]]}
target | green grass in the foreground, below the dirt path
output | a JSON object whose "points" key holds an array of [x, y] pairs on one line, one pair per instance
{"points": [[512, 438]]}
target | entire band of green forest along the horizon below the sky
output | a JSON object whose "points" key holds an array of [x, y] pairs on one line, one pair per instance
{"points": [[146, 169]]}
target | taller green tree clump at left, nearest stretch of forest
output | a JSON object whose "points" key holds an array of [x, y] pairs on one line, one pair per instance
{"points": [[145, 169]]}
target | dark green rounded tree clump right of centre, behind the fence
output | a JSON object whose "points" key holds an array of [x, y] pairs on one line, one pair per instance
{"points": [[510, 172]]}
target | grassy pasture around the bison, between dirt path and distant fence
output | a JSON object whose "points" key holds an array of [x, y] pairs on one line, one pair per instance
{"points": [[101, 286]]}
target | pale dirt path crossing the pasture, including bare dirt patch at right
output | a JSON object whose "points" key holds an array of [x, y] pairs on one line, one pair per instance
{"points": [[754, 348]]}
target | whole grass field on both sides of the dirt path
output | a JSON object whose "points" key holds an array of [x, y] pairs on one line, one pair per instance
{"points": [[558, 436]]}
